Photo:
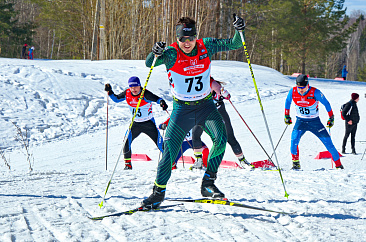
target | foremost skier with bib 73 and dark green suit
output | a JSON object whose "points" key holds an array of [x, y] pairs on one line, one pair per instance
{"points": [[188, 63]]}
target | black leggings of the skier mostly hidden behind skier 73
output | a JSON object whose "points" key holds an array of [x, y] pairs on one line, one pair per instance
{"points": [[197, 132]]}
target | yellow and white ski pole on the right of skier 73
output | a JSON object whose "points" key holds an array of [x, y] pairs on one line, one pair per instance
{"points": [[260, 103]]}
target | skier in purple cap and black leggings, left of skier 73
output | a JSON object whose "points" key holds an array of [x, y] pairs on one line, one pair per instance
{"points": [[144, 121]]}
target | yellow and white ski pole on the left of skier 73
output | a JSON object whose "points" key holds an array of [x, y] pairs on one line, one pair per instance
{"points": [[129, 128]]}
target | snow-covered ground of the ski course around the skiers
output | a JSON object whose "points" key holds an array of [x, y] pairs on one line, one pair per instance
{"points": [[63, 106]]}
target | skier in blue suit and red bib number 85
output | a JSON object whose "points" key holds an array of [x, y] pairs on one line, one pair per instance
{"points": [[306, 101]]}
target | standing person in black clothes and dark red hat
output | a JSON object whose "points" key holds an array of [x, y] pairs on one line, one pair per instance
{"points": [[351, 117]]}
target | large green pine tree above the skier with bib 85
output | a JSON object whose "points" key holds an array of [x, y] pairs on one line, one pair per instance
{"points": [[305, 31]]}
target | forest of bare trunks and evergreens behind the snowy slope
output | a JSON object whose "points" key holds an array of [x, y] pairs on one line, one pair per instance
{"points": [[315, 37]]}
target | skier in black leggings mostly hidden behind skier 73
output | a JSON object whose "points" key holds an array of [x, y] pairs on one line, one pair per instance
{"points": [[218, 95]]}
